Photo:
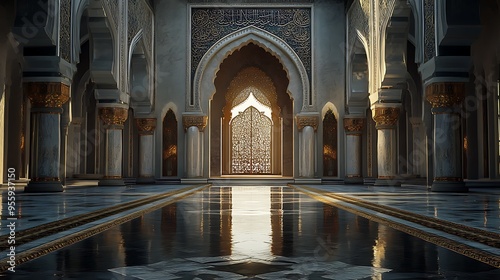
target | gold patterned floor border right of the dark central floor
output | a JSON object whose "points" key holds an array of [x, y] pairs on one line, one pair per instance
{"points": [[474, 234]]}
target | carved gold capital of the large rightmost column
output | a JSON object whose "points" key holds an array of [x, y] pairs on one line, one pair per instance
{"points": [[442, 95]]}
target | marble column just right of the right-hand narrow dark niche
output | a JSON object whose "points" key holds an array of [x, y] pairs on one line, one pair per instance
{"points": [[354, 129]]}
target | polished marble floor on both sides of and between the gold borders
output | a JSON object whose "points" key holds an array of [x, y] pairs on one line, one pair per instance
{"points": [[258, 232]]}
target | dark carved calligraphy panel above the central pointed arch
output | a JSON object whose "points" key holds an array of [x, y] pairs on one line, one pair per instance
{"points": [[209, 25]]}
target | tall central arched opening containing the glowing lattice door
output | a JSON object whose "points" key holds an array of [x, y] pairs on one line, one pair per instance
{"points": [[254, 125]]}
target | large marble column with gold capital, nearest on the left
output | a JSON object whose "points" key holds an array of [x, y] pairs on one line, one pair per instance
{"points": [[47, 99]]}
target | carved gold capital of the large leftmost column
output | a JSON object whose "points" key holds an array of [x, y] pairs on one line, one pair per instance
{"points": [[47, 94]]}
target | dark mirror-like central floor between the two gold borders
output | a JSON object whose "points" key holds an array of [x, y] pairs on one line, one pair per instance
{"points": [[253, 233]]}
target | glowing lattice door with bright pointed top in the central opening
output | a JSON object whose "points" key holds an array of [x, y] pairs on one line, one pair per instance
{"points": [[251, 128]]}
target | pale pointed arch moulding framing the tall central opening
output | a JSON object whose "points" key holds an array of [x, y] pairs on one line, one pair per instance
{"points": [[203, 81]]}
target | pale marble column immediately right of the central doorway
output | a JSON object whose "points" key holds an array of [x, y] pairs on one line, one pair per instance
{"points": [[307, 126]]}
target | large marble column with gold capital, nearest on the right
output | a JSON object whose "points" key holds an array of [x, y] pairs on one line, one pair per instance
{"points": [[445, 98]]}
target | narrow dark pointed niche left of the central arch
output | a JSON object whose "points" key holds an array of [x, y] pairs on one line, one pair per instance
{"points": [[169, 155]]}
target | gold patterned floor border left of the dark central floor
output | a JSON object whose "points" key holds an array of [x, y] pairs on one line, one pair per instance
{"points": [[31, 234]]}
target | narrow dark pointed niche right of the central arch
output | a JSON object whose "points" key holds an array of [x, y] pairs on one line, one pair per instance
{"points": [[330, 147]]}
